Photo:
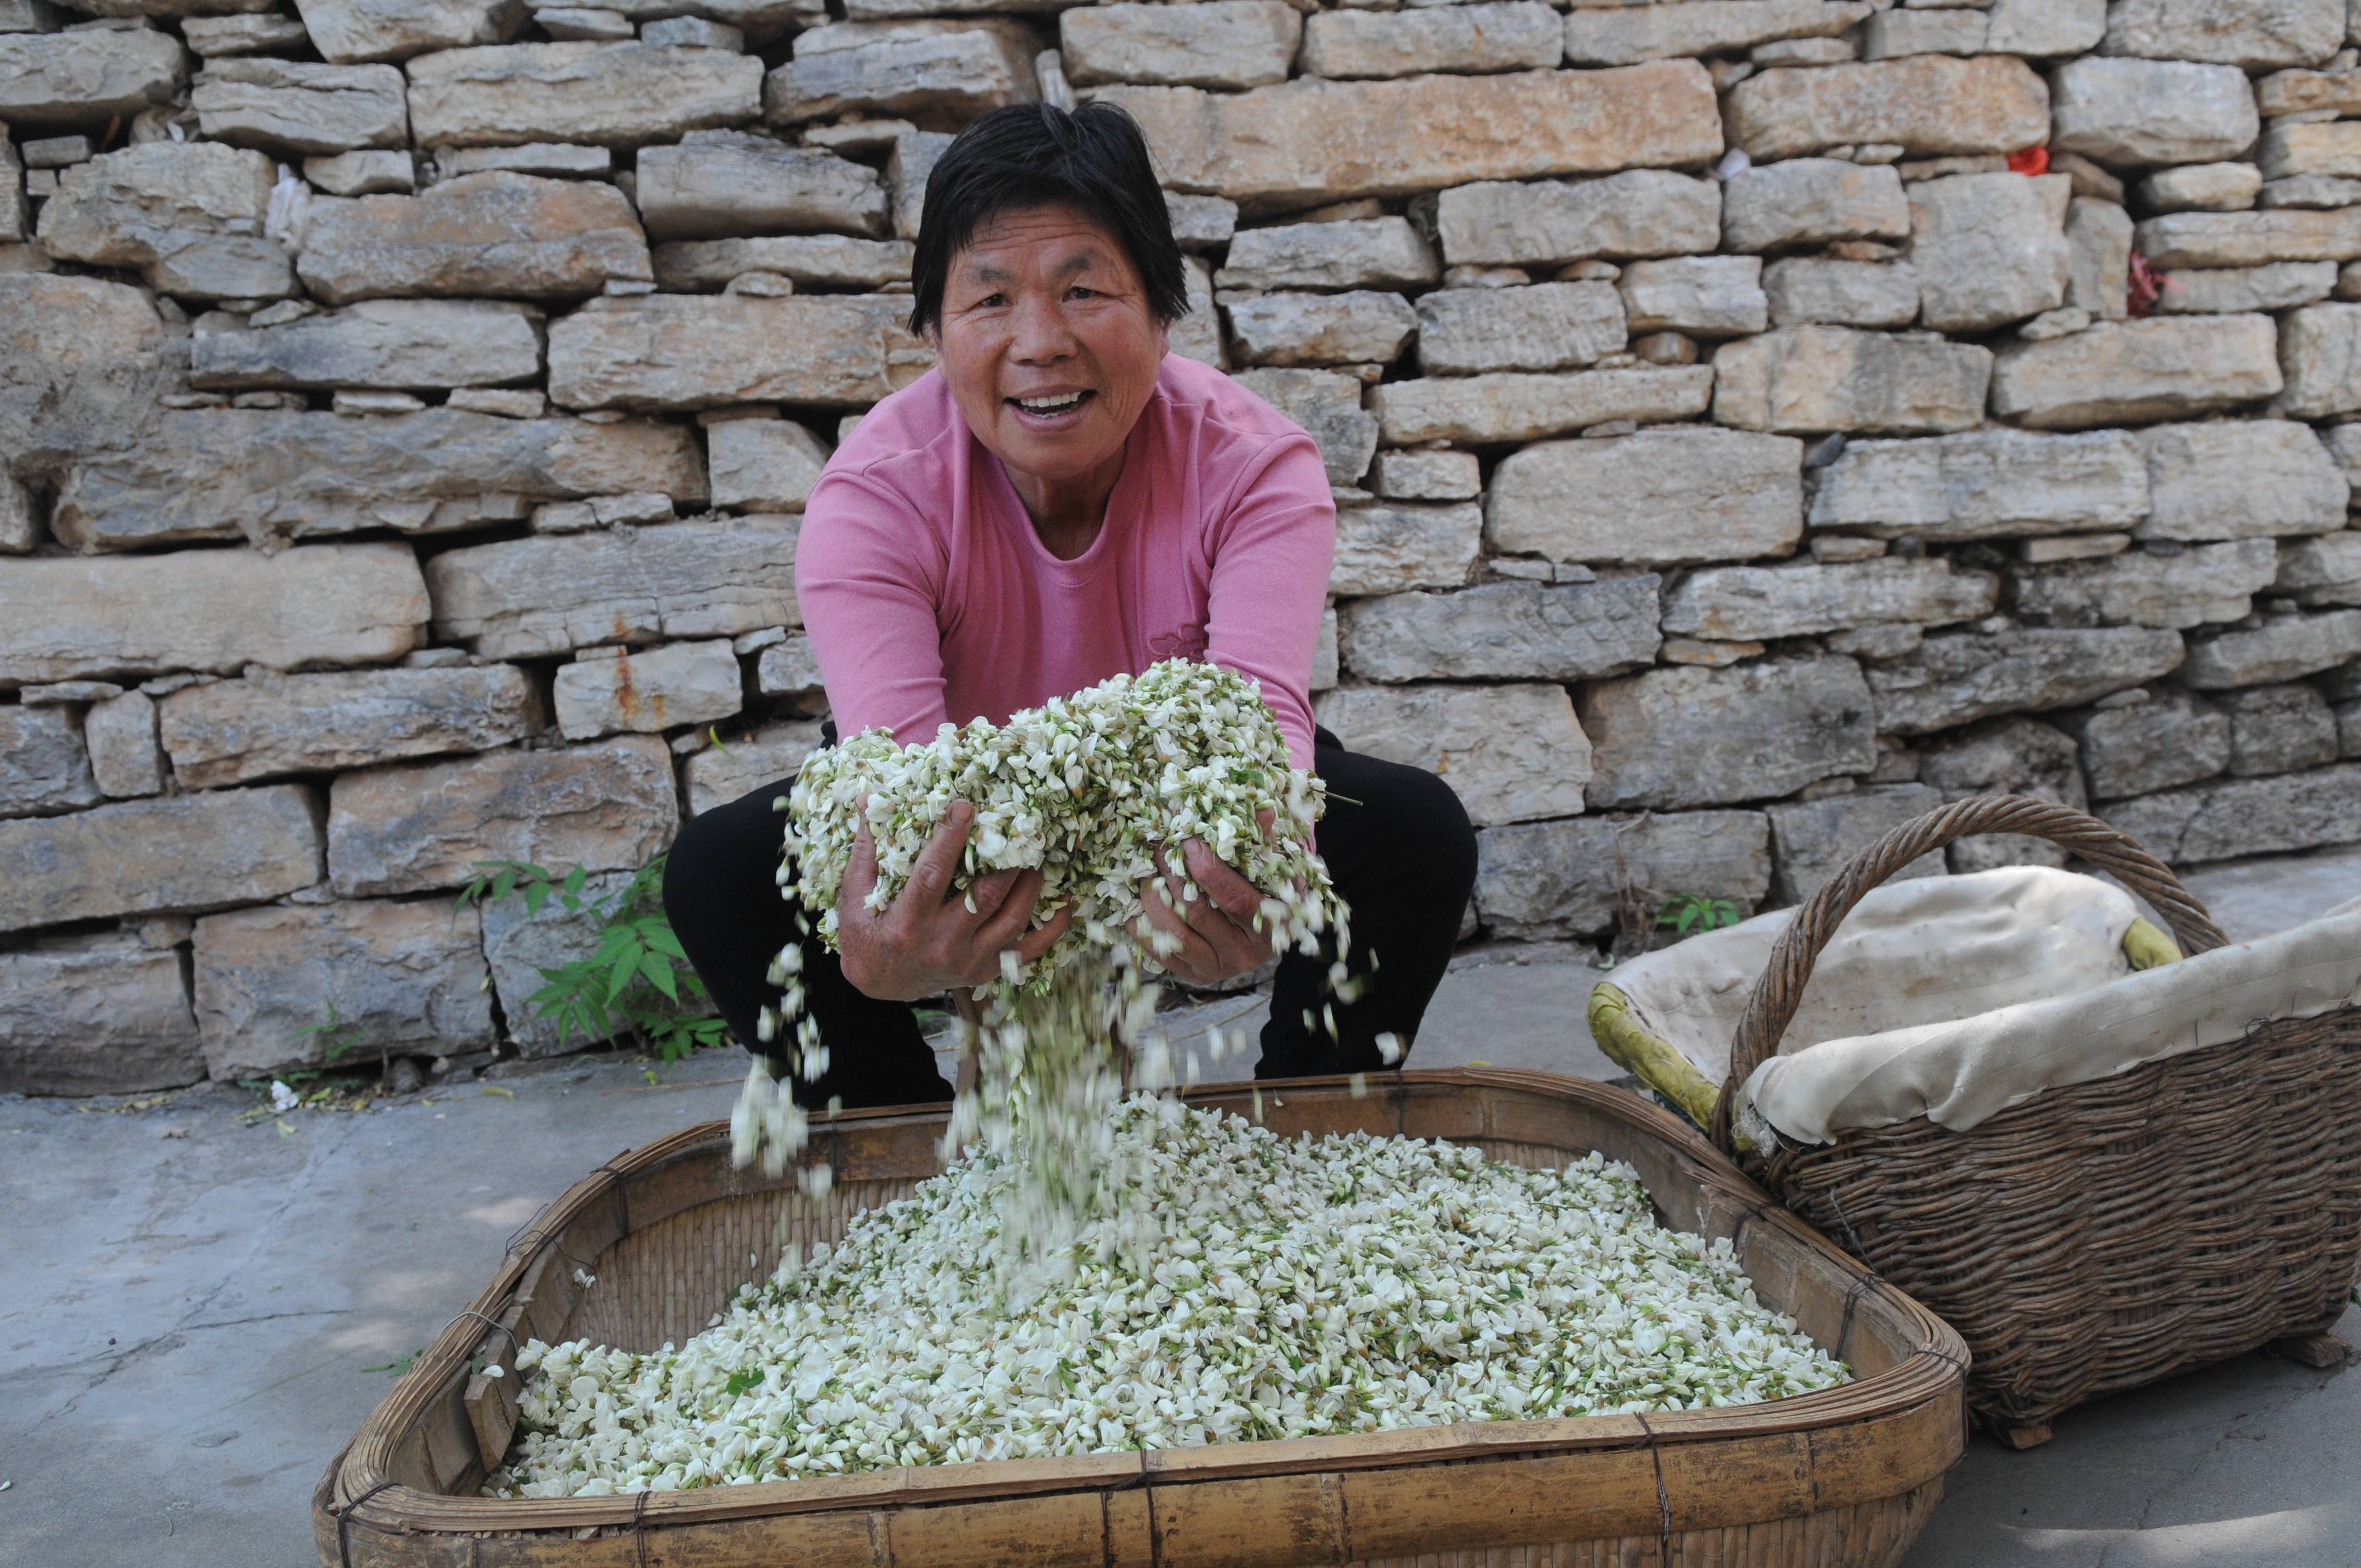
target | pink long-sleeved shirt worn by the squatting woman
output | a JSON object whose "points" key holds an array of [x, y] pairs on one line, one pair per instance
{"points": [[931, 599]]}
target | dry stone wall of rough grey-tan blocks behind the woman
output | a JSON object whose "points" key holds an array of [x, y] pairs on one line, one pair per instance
{"points": [[1753, 422]]}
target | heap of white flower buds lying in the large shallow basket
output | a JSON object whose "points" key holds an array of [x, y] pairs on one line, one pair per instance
{"points": [[1302, 1288]]}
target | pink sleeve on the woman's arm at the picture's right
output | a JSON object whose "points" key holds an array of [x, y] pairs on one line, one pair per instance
{"points": [[1271, 566]]}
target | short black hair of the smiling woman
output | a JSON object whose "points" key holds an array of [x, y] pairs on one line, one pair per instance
{"points": [[1092, 159]]}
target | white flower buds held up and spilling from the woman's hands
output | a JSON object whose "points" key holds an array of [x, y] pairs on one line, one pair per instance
{"points": [[1085, 788]]}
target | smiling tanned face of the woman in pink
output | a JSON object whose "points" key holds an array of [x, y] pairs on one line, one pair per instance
{"points": [[1047, 344]]}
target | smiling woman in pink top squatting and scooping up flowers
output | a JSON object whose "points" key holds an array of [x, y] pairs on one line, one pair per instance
{"points": [[1057, 502]]}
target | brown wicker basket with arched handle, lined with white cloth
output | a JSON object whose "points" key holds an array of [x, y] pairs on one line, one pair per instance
{"points": [[2107, 1234]]}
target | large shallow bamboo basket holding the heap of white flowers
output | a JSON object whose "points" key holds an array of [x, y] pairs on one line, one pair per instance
{"points": [[1833, 1479]]}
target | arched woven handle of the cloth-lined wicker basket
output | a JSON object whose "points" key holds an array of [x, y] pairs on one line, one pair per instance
{"points": [[1793, 958]]}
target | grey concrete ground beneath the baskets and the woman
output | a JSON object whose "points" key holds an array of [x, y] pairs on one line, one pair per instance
{"points": [[200, 1305]]}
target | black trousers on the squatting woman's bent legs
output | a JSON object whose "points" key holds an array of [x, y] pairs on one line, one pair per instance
{"points": [[1397, 844]]}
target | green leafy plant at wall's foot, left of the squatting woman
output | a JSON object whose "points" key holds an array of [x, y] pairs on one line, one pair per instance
{"points": [[636, 984]]}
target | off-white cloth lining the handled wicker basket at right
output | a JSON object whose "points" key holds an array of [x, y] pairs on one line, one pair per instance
{"points": [[1954, 998]]}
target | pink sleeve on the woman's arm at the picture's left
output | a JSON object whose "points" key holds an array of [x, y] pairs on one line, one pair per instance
{"points": [[868, 580]]}
